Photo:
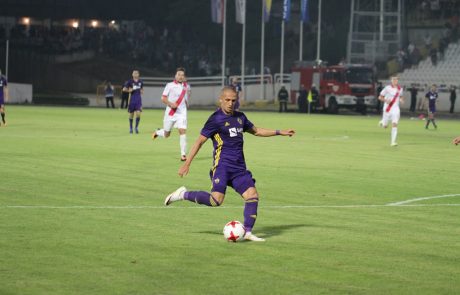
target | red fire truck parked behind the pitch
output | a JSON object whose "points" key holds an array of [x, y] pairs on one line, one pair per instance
{"points": [[349, 86]]}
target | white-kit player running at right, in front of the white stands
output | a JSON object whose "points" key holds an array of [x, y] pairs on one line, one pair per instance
{"points": [[392, 96]]}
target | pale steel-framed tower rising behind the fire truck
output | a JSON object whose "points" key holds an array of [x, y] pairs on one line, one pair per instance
{"points": [[375, 30]]}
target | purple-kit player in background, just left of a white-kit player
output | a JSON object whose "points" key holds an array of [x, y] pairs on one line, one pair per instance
{"points": [[135, 87]]}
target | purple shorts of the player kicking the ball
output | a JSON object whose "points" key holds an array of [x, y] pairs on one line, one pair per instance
{"points": [[239, 180]]}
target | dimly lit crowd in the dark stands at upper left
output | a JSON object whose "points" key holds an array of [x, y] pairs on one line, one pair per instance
{"points": [[160, 48]]}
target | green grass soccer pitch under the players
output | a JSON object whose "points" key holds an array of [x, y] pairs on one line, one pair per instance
{"points": [[81, 208]]}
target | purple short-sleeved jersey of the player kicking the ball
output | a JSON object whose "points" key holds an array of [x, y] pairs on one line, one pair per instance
{"points": [[226, 132]]}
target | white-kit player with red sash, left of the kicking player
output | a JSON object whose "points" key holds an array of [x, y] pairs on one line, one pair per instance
{"points": [[176, 96]]}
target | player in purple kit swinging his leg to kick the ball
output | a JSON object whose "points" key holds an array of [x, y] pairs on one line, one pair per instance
{"points": [[225, 127]]}
